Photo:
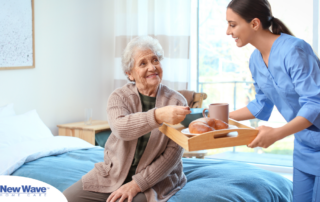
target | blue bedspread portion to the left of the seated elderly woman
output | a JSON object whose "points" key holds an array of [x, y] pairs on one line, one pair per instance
{"points": [[61, 171]]}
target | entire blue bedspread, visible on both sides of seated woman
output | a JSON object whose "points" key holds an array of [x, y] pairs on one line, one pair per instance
{"points": [[216, 181]]}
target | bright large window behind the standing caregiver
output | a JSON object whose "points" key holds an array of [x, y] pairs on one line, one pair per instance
{"points": [[223, 70]]}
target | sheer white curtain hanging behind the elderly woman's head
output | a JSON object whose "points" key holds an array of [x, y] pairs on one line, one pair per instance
{"points": [[166, 20]]}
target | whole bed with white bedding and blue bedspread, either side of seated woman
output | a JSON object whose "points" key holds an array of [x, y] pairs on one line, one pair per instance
{"points": [[61, 161]]}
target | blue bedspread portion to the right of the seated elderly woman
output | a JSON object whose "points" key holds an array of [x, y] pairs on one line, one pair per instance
{"points": [[225, 181]]}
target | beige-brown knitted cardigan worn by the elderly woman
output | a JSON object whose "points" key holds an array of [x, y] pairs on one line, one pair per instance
{"points": [[159, 173]]}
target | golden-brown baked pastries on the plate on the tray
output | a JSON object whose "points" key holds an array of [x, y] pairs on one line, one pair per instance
{"points": [[203, 125]]}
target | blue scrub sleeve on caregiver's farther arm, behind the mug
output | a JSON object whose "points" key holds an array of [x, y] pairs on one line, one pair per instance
{"points": [[261, 107]]}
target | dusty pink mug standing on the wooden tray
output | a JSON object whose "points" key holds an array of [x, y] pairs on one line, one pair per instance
{"points": [[218, 111]]}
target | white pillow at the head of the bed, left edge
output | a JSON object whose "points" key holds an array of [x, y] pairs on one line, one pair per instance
{"points": [[22, 128]]}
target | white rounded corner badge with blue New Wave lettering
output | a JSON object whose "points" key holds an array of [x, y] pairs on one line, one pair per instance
{"points": [[13, 188]]}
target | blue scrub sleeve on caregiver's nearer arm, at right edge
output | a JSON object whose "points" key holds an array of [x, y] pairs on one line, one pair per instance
{"points": [[303, 67]]}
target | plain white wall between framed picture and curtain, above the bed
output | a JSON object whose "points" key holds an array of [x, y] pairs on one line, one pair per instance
{"points": [[73, 52]]}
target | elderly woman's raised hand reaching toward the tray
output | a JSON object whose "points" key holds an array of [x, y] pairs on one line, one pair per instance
{"points": [[171, 114]]}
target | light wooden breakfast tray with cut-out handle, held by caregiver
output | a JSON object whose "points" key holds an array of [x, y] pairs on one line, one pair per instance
{"points": [[208, 140]]}
